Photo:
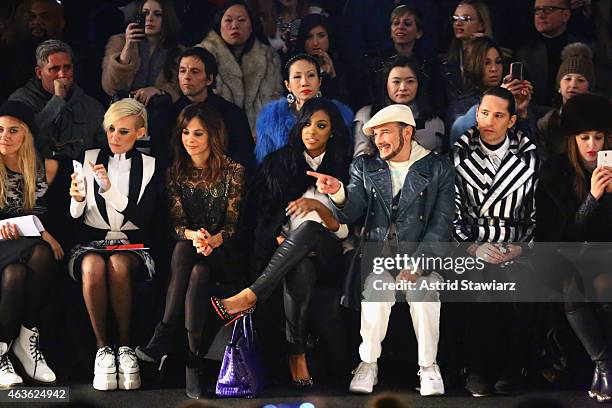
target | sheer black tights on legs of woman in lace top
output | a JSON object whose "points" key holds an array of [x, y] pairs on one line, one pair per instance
{"points": [[190, 287]]}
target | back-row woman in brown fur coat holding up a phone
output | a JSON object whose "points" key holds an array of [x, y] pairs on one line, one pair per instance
{"points": [[140, 61]]}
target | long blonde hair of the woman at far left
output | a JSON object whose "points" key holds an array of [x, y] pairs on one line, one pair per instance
{"points": [[28, 165]]}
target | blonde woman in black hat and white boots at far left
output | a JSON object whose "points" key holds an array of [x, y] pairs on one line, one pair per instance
{"points": [[27, 266]]}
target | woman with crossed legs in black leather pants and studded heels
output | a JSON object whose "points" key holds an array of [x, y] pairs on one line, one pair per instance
{"points": [[293, 220]]}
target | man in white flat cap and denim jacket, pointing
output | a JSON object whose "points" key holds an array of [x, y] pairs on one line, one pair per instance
{"points": [[409, 191]]}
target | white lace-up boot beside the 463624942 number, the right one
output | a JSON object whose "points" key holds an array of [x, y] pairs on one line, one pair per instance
{"points": [[26, 348]]}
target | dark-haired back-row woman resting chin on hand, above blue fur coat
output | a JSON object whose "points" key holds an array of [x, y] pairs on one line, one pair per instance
{"points": [[315, 39]]}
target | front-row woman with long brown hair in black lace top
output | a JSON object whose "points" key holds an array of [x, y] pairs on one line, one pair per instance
{"points": [[205, 190]]}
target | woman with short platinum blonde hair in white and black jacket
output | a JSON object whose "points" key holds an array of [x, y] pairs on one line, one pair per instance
{"points": [[114, 195]]}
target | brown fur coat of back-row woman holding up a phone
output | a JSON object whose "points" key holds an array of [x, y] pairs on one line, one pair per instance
{"points": [[117, 76]]}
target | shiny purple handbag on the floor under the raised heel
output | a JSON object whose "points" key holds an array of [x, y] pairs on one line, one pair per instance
{"points": [[240, 375]]}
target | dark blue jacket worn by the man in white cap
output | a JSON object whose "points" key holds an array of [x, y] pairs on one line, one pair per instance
{"points": [[426, 207]]}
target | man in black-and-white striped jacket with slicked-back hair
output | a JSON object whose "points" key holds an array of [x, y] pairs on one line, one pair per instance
{"points": [[496, 174]]}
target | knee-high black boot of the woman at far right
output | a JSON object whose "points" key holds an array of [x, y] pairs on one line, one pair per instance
{"points": [[587, 327]]}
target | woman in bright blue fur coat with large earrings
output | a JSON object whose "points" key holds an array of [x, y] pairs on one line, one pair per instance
{"points": [[303, 82]]}
